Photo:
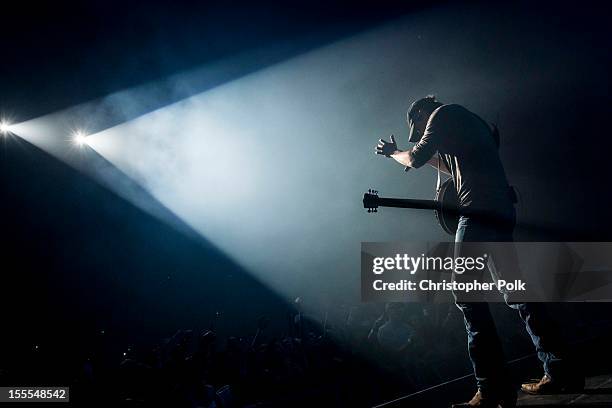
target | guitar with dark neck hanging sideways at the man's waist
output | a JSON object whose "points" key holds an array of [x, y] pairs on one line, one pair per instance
{"points": [[445, 205]]}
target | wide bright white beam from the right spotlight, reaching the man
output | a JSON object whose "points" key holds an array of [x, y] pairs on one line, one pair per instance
{"points": [[270, 167]]}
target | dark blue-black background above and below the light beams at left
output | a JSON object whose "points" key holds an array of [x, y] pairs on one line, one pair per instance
{"points": [[77, 259]]}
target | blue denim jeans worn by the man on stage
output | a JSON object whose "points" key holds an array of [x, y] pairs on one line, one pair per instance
{"points": [[484, 346]]}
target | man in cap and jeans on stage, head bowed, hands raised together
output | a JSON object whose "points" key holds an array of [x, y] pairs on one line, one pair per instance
{"points": [[461, 144]]}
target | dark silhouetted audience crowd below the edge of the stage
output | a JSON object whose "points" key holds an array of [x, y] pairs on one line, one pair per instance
{"points": [[371, 353]]}
